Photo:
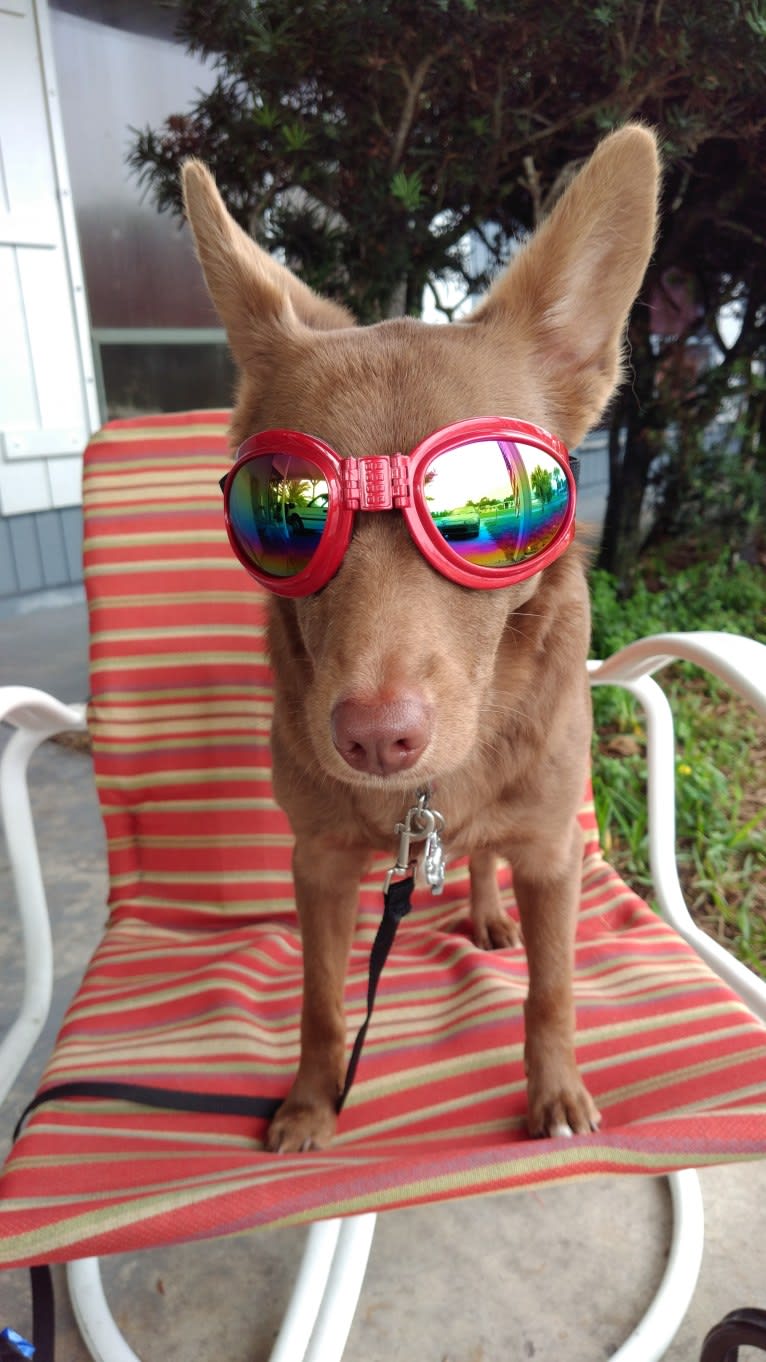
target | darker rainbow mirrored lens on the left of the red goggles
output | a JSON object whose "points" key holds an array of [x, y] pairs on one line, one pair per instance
{"points": [[277, 513]]}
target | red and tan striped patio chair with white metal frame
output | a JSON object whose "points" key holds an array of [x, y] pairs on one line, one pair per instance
{"points": [[196, 985]]}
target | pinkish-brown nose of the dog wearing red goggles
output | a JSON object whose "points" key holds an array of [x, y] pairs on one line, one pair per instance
{"points": [[382, 739]]}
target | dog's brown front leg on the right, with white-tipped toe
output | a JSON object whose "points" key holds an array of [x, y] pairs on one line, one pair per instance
{"points": [[560, 1103]]}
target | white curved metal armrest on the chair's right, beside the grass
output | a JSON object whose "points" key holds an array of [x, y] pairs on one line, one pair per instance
{"points": [[742, 664]]}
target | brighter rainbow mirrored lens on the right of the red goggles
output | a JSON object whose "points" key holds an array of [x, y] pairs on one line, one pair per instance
{"points": [[497, 502]]}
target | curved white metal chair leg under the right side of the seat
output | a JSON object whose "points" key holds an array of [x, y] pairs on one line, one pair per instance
{"points": [[656, 1331]]}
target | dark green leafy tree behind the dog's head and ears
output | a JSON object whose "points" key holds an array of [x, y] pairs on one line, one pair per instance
{"points": [[367, 141]]}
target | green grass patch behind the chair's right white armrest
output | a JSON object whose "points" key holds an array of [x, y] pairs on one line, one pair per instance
{"points": [[720, 748]]}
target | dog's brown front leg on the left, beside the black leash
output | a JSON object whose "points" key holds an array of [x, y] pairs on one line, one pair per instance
{"points": [[326, 897]]}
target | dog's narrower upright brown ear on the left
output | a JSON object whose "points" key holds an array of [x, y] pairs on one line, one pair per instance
{"points": [[251, 292]]}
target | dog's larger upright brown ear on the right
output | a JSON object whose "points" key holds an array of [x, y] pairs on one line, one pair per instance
{"points": [[568, 295]]}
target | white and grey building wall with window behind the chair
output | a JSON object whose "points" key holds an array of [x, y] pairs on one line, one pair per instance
{"points": [[103, 311]]}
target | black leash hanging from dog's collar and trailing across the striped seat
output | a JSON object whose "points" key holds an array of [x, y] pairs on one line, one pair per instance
{"points": [[396, 906]]}
